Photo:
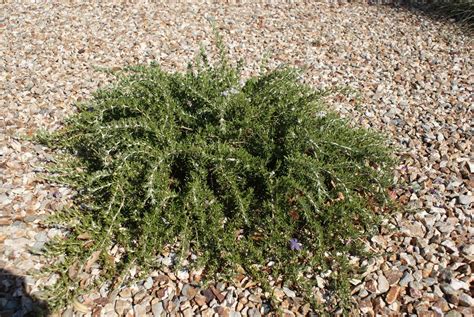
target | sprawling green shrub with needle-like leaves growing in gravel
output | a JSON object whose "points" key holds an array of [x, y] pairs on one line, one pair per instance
{"points": [[251, 177]]}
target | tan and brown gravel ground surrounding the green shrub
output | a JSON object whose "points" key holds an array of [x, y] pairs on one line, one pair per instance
{"points": [[415, 82]]}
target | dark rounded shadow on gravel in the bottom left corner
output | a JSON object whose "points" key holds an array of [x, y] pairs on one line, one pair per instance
{"points": [[15, 300]]}
